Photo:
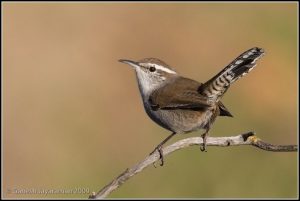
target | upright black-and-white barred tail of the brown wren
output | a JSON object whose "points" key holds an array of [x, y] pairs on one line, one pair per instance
{"points": [[243, 64]]}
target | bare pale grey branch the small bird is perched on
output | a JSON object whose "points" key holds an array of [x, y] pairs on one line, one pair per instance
{"points": [[243, 139]]}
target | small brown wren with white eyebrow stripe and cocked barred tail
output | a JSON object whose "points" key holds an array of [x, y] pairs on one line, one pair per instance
{"points": [[182, 105]]}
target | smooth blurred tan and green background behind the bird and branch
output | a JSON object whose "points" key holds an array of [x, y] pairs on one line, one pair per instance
{"points": [[73, 116]]}
